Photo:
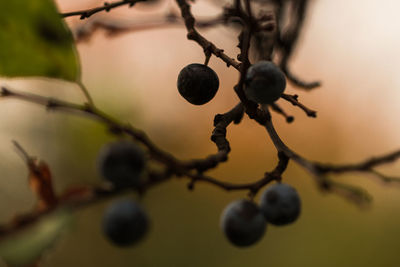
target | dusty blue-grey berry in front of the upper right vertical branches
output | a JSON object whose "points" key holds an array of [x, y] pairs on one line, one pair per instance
{"points": [[265, 82]]}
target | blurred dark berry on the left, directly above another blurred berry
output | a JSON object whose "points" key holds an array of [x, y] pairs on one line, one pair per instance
{"points": [[121, 163]]}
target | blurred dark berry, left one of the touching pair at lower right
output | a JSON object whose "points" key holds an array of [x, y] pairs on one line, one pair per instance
{"points": [[243, 223]]}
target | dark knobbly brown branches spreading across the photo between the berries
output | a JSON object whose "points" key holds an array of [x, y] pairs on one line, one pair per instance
{"points": [[195, 169]]}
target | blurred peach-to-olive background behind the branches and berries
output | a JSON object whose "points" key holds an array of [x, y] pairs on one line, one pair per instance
{"points": [[351, 46]]}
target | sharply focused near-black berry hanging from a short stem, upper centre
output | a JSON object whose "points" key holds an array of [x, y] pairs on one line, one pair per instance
{"points": [[197, 83]]}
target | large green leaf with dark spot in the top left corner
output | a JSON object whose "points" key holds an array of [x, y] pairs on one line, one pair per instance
{"points": [[34, 41]]}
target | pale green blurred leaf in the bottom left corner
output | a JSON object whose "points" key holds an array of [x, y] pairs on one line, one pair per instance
{"points": [[29, 245]]}
